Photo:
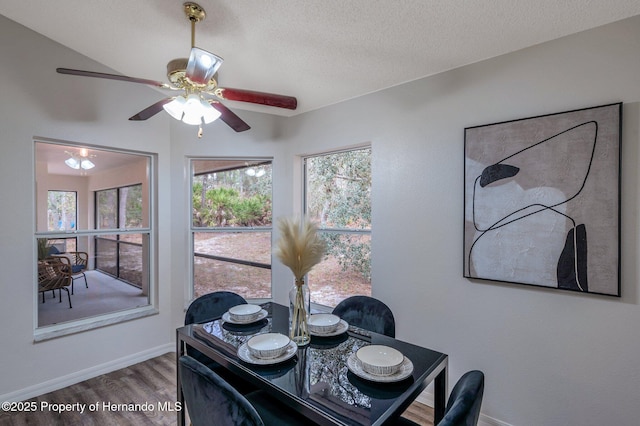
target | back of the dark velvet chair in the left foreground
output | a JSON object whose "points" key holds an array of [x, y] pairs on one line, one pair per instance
{"points": [[211, 400]]}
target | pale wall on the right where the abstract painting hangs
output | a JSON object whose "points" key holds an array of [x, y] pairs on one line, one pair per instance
{"points": [[550, 357]]}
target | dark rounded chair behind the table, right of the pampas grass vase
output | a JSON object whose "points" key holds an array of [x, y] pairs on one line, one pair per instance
{"points": [[368, 313]]}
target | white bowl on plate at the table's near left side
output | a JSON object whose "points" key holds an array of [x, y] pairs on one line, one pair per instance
{"points": [[267, 348]]}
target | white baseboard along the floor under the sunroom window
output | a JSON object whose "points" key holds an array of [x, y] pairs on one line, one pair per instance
{"points": [[89, 373]]}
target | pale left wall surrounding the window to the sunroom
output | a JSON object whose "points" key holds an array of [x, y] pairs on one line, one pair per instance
{"points": [[38, 102]]}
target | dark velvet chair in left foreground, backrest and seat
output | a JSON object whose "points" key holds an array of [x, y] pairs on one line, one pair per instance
{"points": [[211, 400]]}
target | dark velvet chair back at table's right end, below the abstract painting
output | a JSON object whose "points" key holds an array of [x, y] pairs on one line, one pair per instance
{"points": [[463, 408]]}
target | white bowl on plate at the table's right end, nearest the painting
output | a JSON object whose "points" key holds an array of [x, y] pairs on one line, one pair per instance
{"points": [[380, 363]]}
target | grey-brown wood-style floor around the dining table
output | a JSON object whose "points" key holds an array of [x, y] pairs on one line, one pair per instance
{"points": [[112, 397]]}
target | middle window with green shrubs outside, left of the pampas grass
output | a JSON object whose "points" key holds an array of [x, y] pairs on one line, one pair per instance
{"points": [[231, 226]]}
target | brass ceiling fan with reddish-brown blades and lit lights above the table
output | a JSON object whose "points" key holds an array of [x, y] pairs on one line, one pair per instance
{"points": [[196, 77]]}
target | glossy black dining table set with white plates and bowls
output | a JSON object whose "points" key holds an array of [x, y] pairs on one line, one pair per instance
{"points": [[322, 380]]}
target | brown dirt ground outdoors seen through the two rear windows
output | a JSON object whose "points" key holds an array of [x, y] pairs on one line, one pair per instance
{"points": [[328, 283]]}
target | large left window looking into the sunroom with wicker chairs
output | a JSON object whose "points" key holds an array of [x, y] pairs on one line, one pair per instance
{"points": [[105, 213]]}
